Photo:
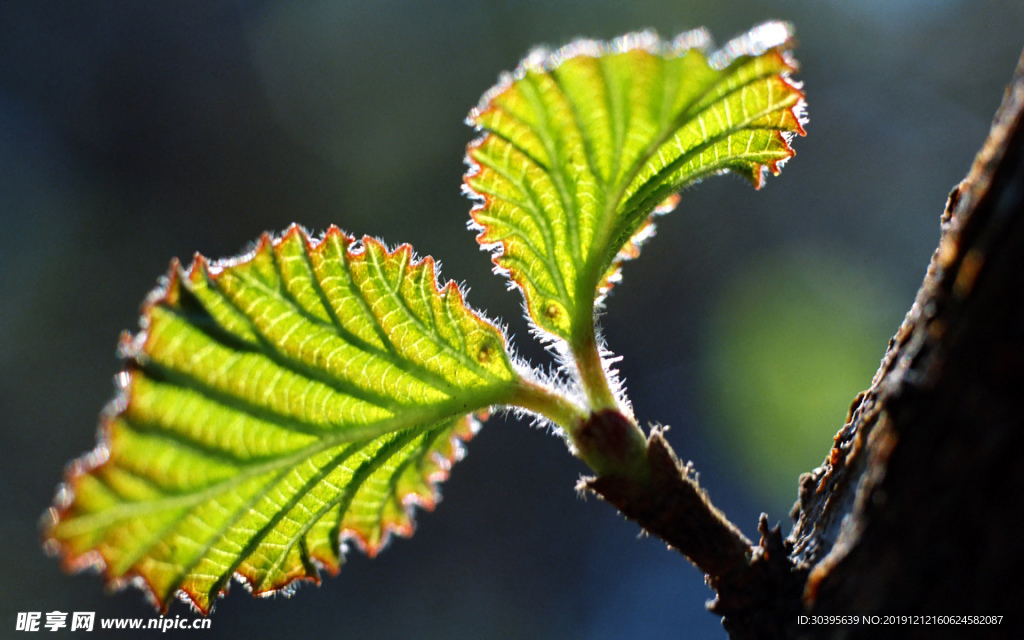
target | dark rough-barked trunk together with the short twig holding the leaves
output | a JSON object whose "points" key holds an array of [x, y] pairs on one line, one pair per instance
{"points": [[919, 508]]}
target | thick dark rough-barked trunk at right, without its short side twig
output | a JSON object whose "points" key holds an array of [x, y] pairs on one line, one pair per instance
{"points": [[919, 508]]}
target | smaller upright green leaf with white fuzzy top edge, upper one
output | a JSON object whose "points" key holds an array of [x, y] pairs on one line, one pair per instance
{"points": [[582, 147]]}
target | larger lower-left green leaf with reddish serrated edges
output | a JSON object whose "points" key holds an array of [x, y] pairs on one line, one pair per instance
{"points": [[274, 407]]}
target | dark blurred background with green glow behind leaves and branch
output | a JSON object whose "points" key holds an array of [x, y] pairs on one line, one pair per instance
{"points": [[135, 132]]}
